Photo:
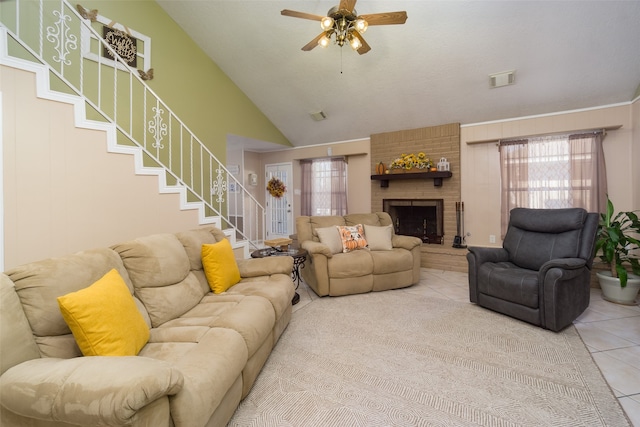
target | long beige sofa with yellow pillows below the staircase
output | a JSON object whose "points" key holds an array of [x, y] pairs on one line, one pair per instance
{"points": [[204, 352]]}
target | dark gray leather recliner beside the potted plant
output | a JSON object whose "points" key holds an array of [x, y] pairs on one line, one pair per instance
{"points": [[542, 273]]}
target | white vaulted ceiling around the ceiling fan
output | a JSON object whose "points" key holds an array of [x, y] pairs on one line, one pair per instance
{"points": [[432, 70]]}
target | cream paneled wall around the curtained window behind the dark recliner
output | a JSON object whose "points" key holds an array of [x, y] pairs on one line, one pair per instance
{"points": [[481, 162]]}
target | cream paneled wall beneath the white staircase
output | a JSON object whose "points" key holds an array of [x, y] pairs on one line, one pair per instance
{"points": [[62, 191]]}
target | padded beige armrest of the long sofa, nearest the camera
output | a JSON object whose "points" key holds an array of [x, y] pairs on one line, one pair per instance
{"points": [[87, 390]]}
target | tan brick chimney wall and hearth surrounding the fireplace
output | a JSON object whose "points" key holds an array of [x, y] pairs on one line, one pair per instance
{"points": [[435, 142]]}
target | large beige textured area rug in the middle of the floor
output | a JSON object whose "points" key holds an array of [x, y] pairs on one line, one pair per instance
{"points": [[398, 359]]}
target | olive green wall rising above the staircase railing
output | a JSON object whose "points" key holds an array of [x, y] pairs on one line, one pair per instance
{"points": [[188, 81]]}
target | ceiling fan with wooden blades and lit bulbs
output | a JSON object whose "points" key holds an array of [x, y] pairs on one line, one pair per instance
{"points": [[343, 23]]}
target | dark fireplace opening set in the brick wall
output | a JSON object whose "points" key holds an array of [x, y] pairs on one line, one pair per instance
{"points": [[422, 218]]}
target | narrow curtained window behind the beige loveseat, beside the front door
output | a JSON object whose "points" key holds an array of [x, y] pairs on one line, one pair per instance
{"points": [[324, 187]]}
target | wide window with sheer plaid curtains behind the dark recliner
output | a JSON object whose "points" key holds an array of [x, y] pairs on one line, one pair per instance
{"points": [[551, 172]]}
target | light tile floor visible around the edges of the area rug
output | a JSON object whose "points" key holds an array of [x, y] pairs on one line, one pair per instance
{"points": [[610, 331]]}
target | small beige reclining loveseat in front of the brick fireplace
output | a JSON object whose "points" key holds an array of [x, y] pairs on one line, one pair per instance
{"points": [[329, 271]]}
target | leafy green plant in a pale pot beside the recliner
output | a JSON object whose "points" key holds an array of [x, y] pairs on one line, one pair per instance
{"points": [[619, 247]]}
